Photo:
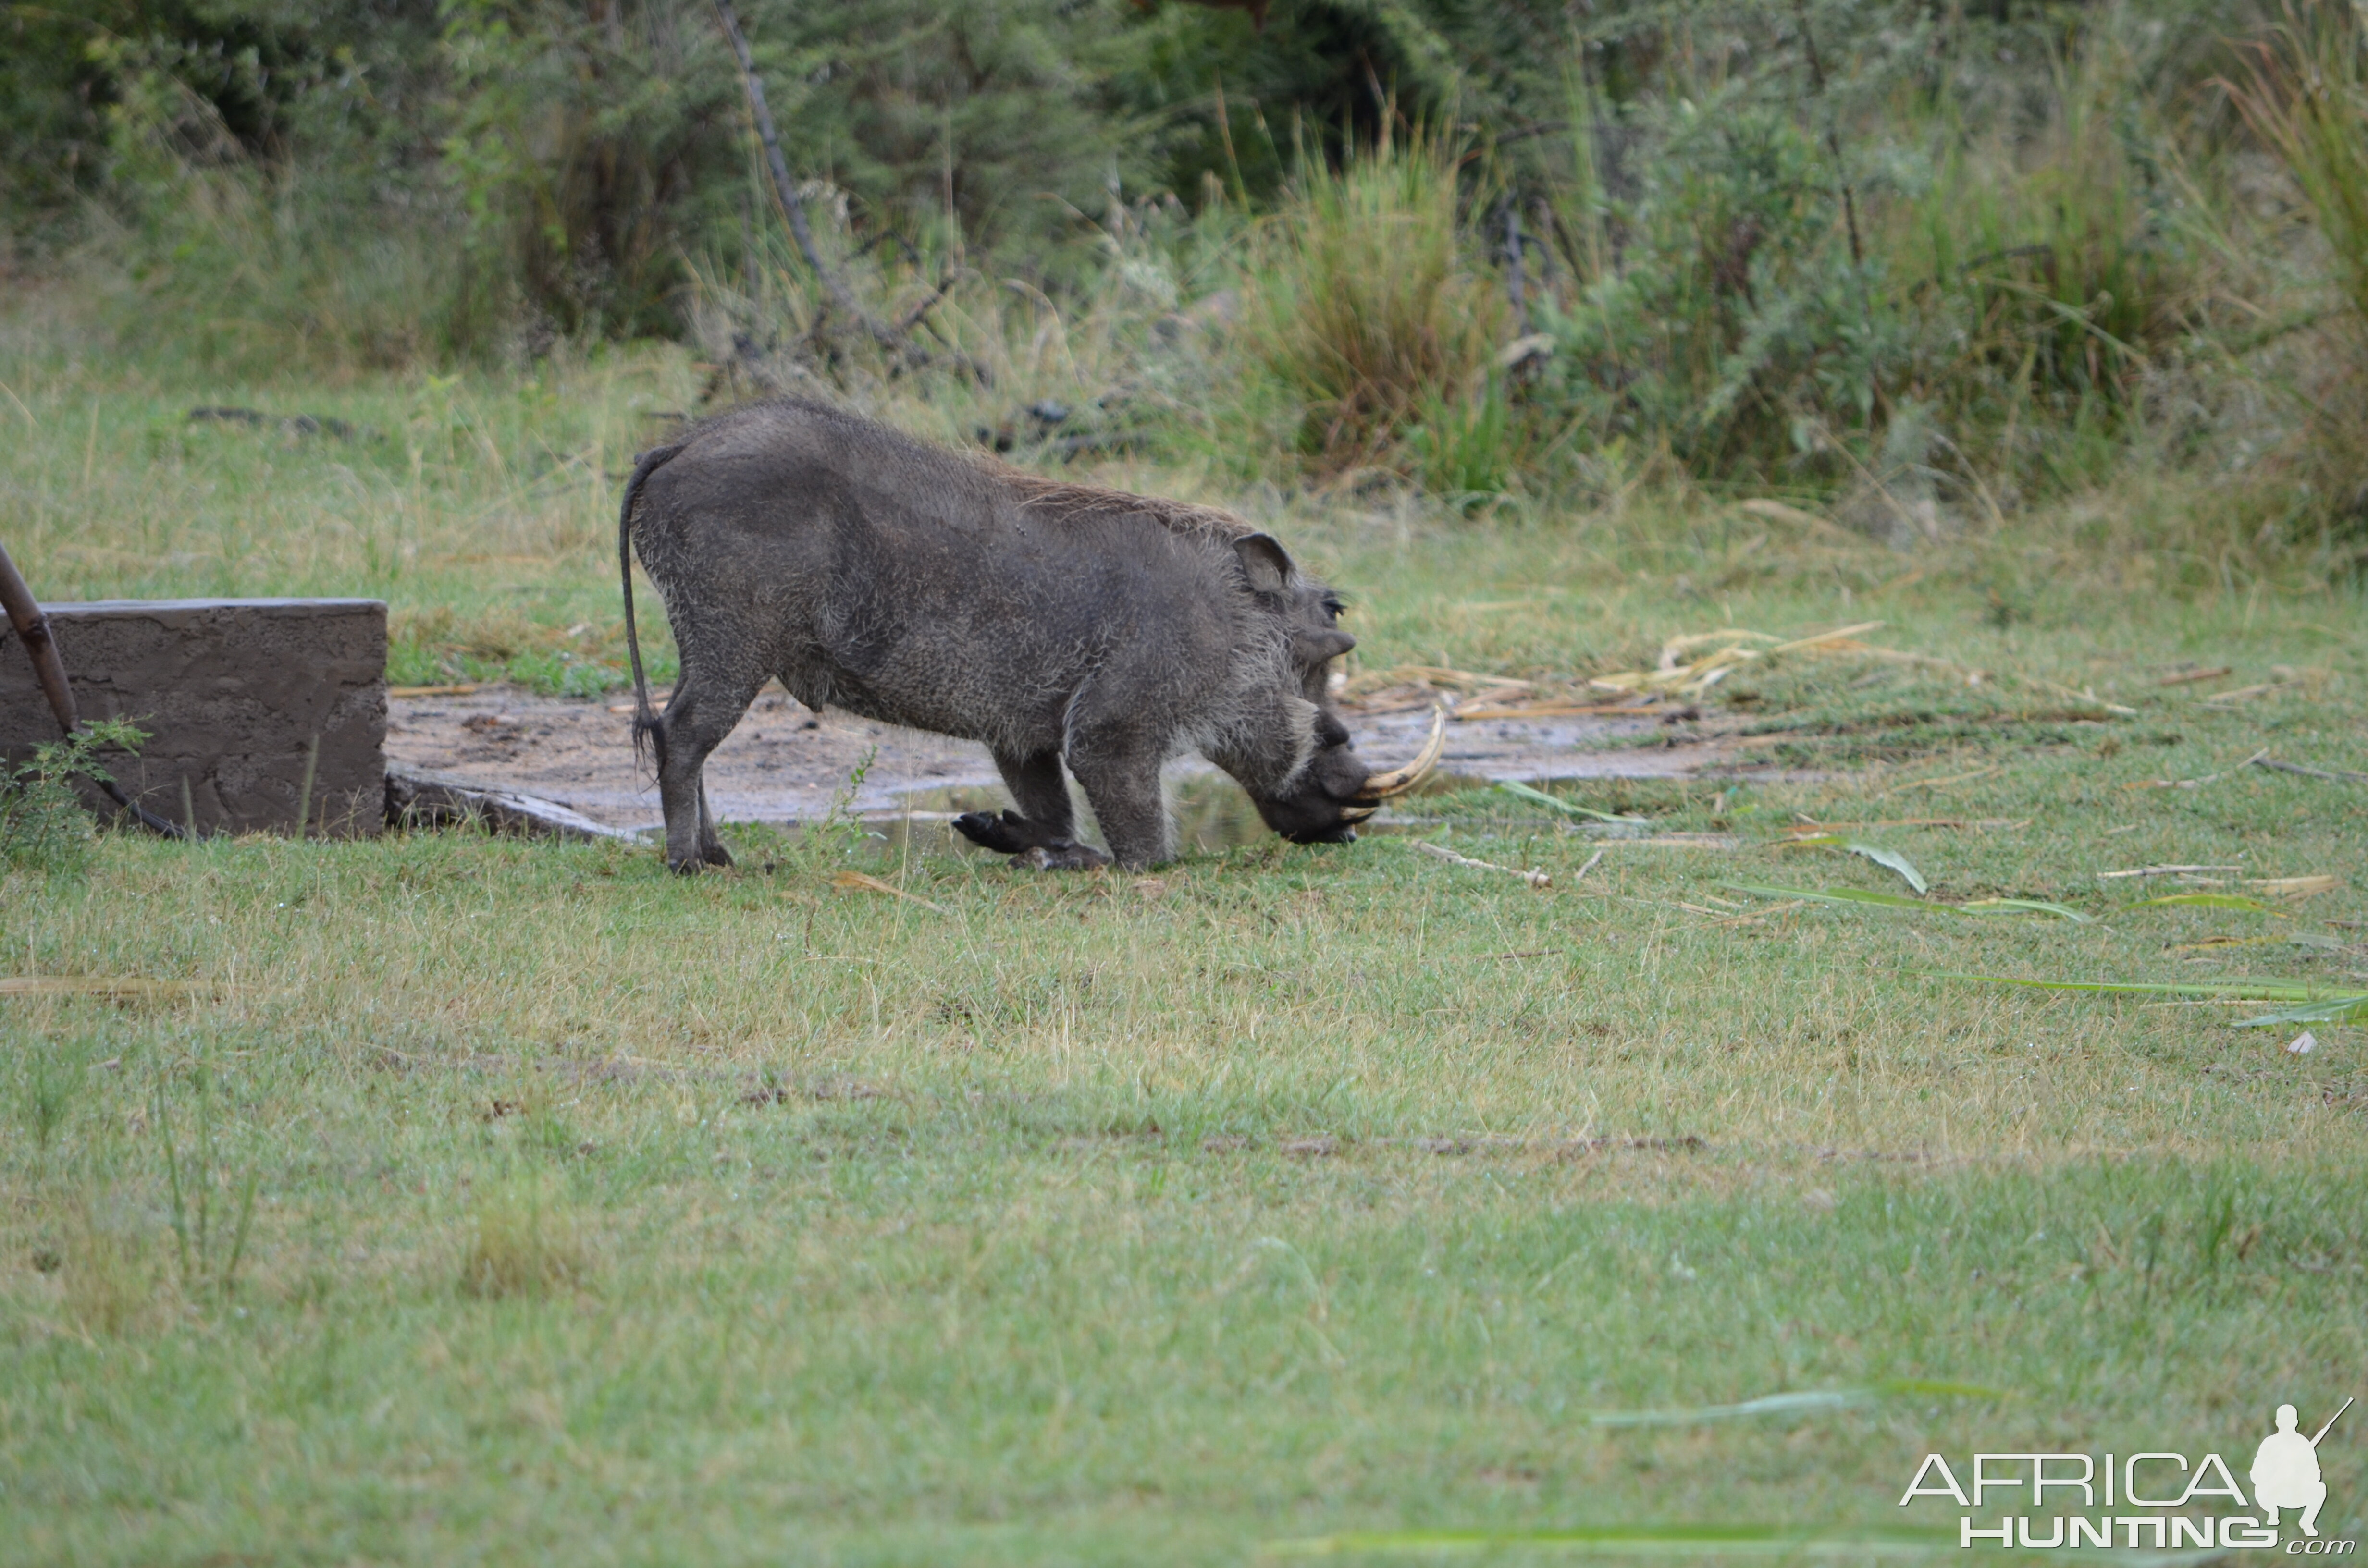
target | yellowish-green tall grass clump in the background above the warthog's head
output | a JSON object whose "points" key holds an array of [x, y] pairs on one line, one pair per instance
{"points": [[1370, 309]]}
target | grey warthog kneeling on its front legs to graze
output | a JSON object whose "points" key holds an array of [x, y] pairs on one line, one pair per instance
{"points": [[1053, 622]]}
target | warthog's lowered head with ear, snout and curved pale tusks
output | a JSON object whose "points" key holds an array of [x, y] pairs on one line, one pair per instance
{"points": [[1334, 792]]}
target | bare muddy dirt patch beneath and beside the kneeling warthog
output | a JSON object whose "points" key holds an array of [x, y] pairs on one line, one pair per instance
{"points": [[787, 764]]}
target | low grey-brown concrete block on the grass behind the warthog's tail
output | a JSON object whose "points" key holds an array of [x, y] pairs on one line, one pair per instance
{"points": [[238, 698]]}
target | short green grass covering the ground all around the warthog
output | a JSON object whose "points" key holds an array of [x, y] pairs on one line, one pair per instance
{"points": [[1289, 1195]]}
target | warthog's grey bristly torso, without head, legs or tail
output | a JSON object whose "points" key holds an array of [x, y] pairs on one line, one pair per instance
{"points": [[927, 589]]}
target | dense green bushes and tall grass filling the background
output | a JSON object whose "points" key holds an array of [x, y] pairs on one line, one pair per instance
{"points": [[1919, 264]]}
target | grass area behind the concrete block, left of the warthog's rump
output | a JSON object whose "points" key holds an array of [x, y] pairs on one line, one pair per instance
{"points": [[480, 508]]}
